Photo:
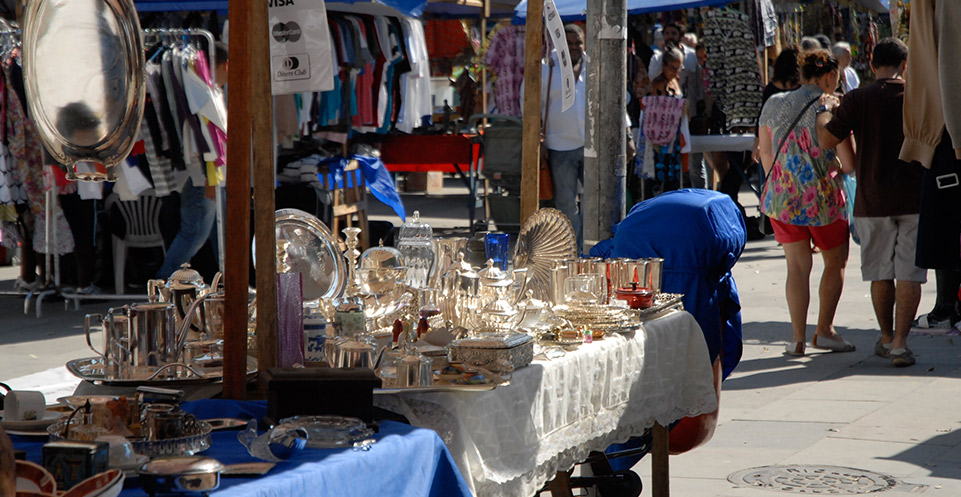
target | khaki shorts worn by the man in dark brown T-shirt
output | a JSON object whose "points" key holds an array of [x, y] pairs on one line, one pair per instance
{"points": [[888, 246]]}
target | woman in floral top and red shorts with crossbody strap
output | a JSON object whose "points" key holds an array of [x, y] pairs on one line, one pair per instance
{"points": [[802, 196]]}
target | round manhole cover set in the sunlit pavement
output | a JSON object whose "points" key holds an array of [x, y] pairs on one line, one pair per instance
{"points": [[813, 479]]}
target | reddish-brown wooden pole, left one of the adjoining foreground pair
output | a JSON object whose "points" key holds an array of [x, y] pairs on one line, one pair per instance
{"points": [[237, 215]]}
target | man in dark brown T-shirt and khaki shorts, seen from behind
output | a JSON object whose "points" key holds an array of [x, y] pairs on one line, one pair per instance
{"points": [[888, 195]]}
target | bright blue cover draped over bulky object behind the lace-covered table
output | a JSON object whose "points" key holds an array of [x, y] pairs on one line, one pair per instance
{"points": [[700, 234]]}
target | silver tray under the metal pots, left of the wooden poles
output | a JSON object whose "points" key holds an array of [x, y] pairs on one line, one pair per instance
{"points": [[91, 369]]}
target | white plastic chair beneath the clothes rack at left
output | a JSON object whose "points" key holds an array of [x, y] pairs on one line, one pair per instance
{"points": [[142, 220]]}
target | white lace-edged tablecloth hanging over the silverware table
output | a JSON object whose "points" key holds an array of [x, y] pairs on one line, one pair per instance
{"points": [[511, 440]]}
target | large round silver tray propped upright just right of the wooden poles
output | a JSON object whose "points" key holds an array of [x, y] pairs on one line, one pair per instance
{"points": [[311, 251]]}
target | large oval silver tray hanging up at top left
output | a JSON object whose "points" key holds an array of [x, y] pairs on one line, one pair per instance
{"points": [[83, 64]]}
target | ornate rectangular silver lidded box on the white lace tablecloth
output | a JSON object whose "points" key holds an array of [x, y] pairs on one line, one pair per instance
{"points": [[495, 352]]}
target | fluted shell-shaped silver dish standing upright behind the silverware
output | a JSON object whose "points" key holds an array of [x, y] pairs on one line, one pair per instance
{"points": [[545, 237]]}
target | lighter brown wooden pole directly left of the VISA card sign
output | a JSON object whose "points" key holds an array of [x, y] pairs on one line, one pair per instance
{"points": [[262, 141]]}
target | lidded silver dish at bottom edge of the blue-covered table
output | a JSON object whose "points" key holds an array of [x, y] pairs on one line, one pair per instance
{"points": [[183, 474]]}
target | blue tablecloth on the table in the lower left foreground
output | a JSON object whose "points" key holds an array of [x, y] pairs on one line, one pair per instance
{"points": [[405, 461]]}
